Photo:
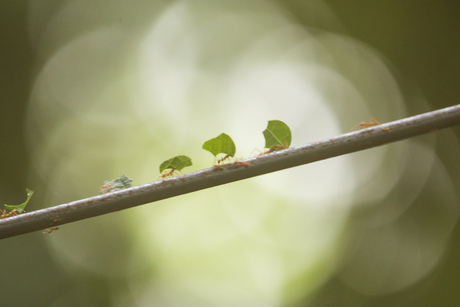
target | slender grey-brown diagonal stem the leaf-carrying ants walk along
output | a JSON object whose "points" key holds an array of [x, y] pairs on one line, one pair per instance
{"points": [[211, 177]]}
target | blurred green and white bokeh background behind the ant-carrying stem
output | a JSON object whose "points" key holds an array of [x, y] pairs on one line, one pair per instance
{"points": [[93, 90]]}
